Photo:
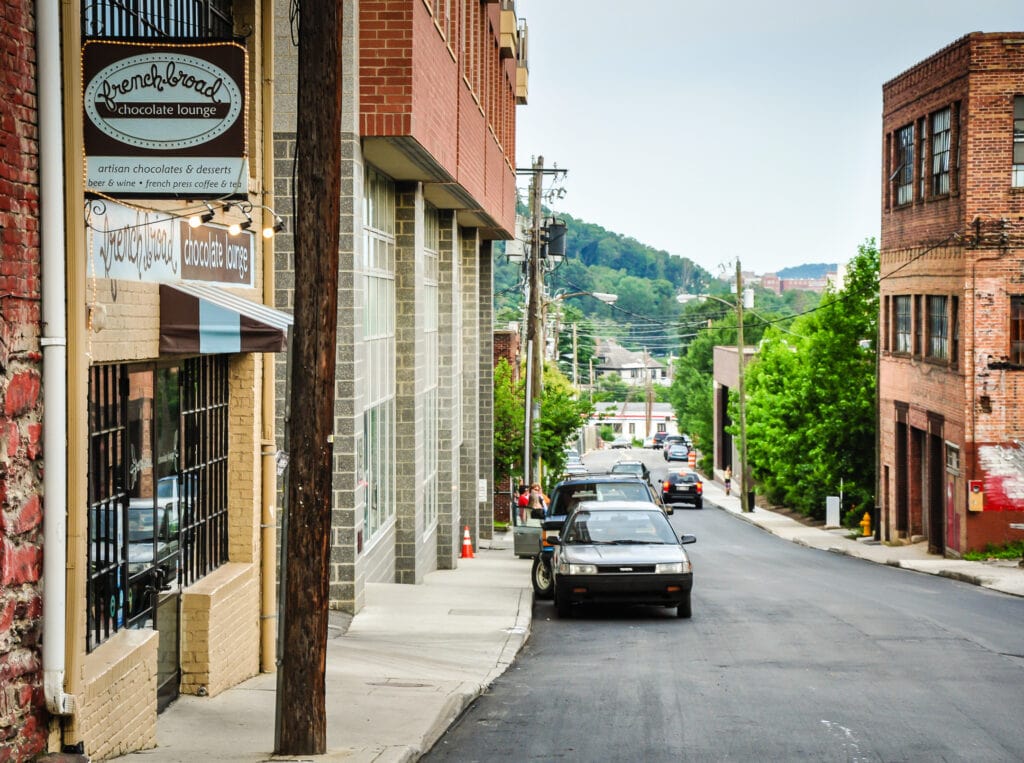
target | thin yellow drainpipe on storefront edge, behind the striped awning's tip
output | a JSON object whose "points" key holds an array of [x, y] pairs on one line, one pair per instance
{"points": [[269, 474]]}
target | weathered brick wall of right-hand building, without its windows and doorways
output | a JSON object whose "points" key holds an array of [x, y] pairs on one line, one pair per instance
{"points": [[983, 408]]}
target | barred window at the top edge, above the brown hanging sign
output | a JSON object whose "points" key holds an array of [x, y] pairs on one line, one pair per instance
{"points": [[178, 20]]}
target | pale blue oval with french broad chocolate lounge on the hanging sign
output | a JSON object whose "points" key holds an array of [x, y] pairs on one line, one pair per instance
{"points": [[163, 101]]}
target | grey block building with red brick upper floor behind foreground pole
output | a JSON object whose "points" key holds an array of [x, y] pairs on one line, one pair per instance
{"points": [[429, 182]]}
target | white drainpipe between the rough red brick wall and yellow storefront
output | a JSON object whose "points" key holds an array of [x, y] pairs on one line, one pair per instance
{"points": [[55, 347]]}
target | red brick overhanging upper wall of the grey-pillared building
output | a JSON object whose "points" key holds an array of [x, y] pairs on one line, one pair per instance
{"points": [[413, 84]]}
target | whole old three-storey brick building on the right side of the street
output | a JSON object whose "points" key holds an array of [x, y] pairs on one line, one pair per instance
{"points": [[952, 369]]}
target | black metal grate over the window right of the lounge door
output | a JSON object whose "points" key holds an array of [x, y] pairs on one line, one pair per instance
{"points": [[204, 420]]}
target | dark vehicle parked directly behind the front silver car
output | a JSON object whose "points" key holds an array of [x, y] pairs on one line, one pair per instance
{"points": [[565, 498]]}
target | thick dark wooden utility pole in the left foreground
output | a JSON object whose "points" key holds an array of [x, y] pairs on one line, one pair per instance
{"points": [[302, 727]]}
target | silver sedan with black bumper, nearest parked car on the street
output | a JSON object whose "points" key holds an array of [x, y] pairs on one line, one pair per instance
{"points": [[621, 553]]}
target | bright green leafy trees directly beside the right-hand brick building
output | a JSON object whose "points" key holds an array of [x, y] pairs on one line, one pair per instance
{"points": [[810, 413]]}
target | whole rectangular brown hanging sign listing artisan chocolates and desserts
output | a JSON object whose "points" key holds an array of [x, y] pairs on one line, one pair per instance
{"points": [[165, 121]]}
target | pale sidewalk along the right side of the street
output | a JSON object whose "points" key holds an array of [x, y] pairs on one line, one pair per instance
{"points": [[1004, 575]]}
